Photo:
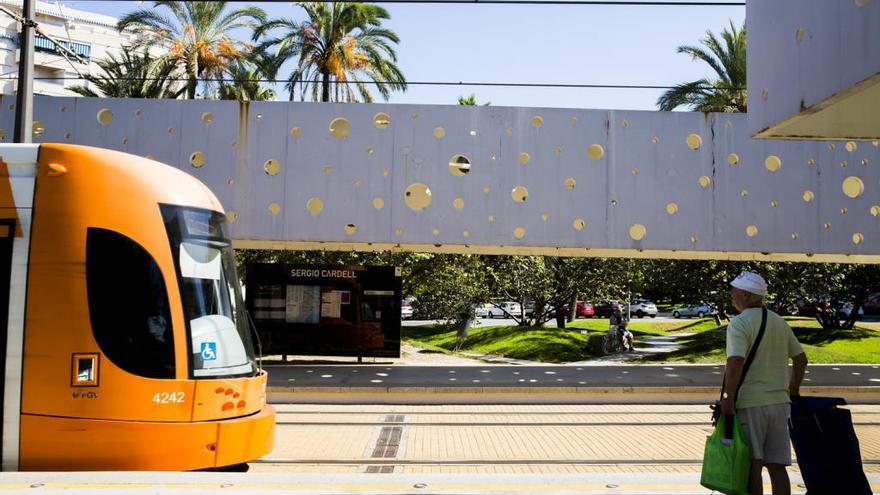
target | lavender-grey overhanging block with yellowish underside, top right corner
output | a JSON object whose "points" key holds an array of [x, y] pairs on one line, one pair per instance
{"points": [[814, 69]]}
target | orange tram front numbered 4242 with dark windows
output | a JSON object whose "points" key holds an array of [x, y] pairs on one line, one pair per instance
{"points": [[126, 342]]}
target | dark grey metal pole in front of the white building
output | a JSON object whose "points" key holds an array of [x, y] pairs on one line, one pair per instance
{"points": [[24, 99]]}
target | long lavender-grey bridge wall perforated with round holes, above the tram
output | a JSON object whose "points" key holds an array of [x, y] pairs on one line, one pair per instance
{"points": [[498, 180]]}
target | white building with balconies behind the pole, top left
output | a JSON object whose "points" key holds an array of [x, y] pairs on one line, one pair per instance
{"points": [[88, 34]]}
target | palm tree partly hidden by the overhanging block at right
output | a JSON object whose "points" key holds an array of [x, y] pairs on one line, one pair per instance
{"points": [[725, 94]]}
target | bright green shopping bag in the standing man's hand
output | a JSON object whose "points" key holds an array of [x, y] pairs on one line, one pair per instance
{"points": [[727, 458]]}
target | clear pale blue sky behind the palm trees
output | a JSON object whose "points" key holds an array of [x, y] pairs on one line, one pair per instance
{"points": [[568, 44]]}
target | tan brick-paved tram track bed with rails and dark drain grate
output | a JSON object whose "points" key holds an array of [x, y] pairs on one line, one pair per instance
{"points": [[506, 439]]}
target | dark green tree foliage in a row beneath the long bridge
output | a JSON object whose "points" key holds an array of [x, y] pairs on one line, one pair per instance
{"points": [[446, 286]]}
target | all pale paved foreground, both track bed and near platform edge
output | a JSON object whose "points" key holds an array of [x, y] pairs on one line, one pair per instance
{"points": [[460, 449]]}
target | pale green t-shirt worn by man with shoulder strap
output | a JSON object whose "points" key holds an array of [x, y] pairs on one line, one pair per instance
{"points": [[767, 379]]}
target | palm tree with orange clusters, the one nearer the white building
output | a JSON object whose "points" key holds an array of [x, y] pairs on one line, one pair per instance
{"points": [[197, 35]]}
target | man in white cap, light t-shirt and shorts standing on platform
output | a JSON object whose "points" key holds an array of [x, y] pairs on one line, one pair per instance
{"points": [[763, 405]]}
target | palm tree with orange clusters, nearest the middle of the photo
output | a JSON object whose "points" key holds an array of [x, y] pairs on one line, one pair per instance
{"points": [[341, 45]]}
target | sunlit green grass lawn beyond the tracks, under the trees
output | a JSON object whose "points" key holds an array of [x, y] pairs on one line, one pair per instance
{"points": [[707, 345]]}
